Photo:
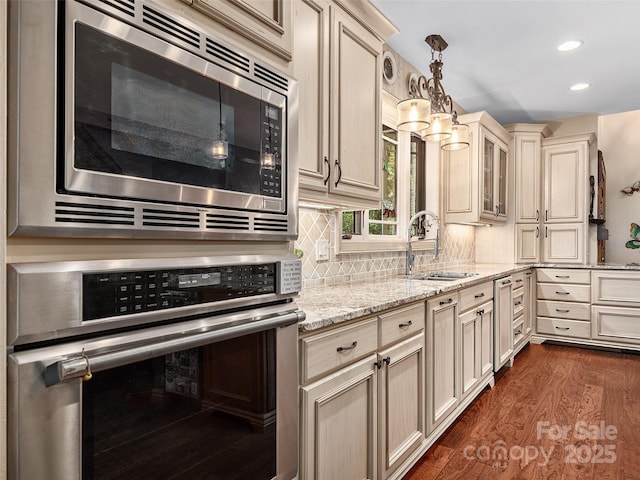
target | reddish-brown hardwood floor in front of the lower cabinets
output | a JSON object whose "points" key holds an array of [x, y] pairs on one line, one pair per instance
{"points": [[559, 413]]}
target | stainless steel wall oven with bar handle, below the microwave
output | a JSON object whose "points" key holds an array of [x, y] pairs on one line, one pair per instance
{"points": [[141, 369]]}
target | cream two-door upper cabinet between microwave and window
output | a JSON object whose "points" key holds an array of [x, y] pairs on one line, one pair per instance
{"points": [[338, 64]]}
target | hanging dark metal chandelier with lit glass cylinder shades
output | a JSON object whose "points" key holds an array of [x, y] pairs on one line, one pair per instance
{"points": [[433, 116]]}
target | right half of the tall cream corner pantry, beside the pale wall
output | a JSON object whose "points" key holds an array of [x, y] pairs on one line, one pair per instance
{"points": [[566, 198]]}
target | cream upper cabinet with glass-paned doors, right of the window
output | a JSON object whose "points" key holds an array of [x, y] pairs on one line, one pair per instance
{"points": [[475, 179]]}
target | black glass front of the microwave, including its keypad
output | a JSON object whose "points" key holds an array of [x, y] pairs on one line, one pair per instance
{"points": [[139, 115]]}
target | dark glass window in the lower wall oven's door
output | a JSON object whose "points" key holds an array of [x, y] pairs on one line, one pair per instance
{"points": [[201, 413]]}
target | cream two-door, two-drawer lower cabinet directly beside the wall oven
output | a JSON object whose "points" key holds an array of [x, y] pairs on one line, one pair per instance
{"points": [[362, 417]]}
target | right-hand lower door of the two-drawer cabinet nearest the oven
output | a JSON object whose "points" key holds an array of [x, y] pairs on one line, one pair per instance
{"points": [[401, 397]]}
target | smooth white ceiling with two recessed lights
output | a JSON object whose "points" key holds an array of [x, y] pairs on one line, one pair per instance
{"points": [[502, 55]]}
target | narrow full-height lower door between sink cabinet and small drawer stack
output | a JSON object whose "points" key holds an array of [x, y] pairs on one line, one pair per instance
{"points": [[503, 314]]}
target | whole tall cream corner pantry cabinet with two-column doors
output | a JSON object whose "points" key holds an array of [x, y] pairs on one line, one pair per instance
{"points": [[551, 195]]}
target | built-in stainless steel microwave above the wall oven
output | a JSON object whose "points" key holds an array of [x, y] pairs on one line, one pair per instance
{"points": [[128, 120]]}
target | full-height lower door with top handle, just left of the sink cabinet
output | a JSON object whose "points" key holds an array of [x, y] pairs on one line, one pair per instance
{"points": [[442, 337]]}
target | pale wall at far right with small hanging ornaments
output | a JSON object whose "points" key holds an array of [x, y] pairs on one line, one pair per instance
{"points": [[619, 141]]}
